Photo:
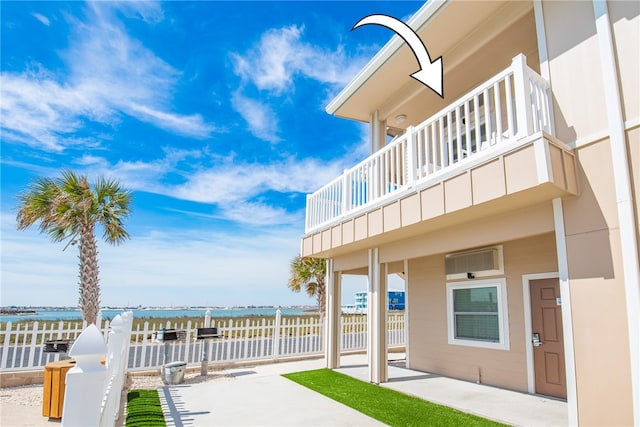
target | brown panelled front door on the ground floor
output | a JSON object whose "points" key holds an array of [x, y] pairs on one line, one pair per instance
{"points": [[548, 346]]}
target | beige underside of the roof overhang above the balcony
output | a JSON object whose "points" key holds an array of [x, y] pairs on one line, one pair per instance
{"points": [[455, 32]]}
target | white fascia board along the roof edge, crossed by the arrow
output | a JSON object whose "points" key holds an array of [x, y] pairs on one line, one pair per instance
{"points": [[428, 10]]}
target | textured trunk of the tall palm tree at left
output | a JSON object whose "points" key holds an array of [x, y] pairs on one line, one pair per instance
{"points": [[89, 282]]}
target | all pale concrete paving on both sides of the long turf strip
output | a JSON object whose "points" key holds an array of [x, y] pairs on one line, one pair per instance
{"points": [[260, 396]]}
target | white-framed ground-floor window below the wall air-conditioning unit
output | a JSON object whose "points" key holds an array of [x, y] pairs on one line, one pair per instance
{"points": [[478, 314]]}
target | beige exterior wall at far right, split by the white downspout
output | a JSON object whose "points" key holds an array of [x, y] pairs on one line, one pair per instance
{"points": [[596, 281]]}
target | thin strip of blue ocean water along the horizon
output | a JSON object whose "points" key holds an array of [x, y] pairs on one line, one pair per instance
{"points": [[44, 314]]}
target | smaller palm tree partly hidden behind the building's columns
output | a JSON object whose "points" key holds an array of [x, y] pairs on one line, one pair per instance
{"points": [[309, 274]]}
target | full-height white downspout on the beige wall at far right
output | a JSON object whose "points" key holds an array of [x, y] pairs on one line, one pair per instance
{"points": [[624, 196]]}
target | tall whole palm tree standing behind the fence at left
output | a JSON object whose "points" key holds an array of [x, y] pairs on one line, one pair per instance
{"points": [[69, 209]]}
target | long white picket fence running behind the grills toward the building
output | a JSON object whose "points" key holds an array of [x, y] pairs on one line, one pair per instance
{"points": [[257, 338]]}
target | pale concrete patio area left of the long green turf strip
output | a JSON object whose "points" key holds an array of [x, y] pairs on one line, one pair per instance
{"points": [[257, 396]]}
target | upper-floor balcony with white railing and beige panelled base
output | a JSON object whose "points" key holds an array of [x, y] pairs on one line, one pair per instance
{"points": [[496, 120]]}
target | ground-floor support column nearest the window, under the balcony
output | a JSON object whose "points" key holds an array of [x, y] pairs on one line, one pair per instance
{"points": [[377, 319]]}
